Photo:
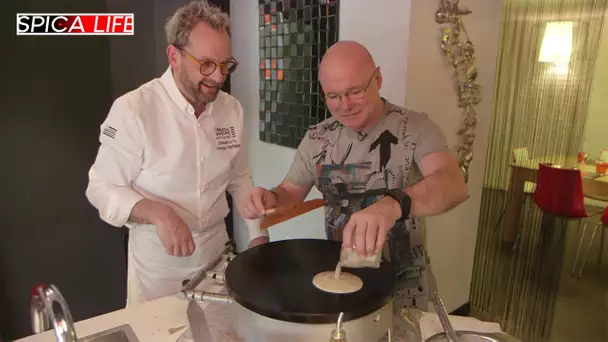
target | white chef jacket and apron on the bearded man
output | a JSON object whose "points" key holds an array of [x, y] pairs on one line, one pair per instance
{"points": [[153, 146]]}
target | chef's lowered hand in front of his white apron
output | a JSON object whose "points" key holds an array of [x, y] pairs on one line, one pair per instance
{"points": [[173, 232]]}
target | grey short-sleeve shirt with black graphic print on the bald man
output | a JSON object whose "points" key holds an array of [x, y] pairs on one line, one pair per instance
{"points": [[340, 162]]}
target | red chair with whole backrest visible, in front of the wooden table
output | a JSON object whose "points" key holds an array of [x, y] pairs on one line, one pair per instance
{"points": [[559, 192]]}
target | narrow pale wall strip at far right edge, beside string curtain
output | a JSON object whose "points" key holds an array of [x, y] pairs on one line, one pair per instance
{"points": [[596, 131]]}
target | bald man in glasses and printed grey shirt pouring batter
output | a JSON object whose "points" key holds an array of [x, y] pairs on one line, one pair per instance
{"points": [[391, 163]]}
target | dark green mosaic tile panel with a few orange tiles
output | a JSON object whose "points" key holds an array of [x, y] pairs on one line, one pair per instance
{"points": [[294, 35]]}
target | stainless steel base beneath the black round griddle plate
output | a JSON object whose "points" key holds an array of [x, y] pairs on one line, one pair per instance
{"points": [[253, 327]]}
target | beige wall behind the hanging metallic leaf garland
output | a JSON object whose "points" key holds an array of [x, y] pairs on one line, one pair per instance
{"points": [[451, 237]]}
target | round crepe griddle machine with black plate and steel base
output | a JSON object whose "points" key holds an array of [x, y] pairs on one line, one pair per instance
{"points": [[272, 297]]}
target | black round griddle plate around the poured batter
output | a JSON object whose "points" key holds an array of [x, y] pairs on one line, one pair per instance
{"points": [[275, 280]]}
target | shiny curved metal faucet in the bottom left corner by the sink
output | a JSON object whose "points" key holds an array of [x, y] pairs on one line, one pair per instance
{"points": [[47, 306]]}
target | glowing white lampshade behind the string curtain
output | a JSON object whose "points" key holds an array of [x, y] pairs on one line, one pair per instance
{"points": [[557, 43]]}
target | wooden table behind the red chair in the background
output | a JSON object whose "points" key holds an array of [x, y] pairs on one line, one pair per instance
{"points": [[527, 171]]}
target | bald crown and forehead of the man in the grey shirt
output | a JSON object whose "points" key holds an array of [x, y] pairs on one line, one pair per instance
{"points": [[345, 57]]}
